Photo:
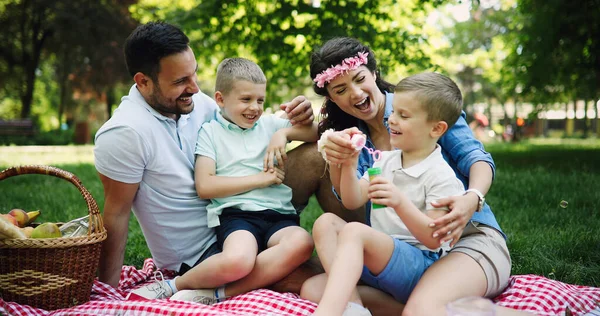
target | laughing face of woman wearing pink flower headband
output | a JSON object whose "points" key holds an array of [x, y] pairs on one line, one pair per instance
{"points": [[357, 94]]}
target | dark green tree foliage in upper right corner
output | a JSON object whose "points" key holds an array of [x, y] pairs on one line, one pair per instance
{"points": [[560, 47]]}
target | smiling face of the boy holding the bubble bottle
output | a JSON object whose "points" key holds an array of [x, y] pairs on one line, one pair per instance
{"points": [[409, 128]]}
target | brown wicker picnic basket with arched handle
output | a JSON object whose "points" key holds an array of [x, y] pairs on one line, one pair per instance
{"points": [[51, 273]]}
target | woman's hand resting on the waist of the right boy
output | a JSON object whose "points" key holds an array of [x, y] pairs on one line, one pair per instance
{"points": [[451, 225]]}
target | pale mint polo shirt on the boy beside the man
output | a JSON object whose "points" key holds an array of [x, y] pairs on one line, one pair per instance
{"points": [[239, 152]]}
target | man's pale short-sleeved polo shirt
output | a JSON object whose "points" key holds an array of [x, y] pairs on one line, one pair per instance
{"points": [[139, 145]]}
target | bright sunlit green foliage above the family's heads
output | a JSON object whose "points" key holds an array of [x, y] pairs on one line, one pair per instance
{"points": [[280, 35]]}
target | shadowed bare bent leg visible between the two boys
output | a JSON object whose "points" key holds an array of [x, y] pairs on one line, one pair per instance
{"points": [[306, 175]]}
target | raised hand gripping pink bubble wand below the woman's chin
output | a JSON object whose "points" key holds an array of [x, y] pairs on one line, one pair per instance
{"points": [[338, 148]]}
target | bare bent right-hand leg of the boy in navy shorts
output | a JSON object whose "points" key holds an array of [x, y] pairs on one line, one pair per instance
{"points": [[287, 250]]}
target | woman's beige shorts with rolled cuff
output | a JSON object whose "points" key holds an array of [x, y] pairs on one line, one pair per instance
{"points": [[487, 247]]}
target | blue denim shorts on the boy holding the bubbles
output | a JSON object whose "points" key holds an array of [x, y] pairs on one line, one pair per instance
{"points": [[403, 271]]}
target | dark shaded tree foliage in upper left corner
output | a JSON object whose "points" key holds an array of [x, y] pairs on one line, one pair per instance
{"points": [[84, 37]]}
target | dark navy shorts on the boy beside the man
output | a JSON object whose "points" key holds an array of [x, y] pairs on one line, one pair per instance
{"points": [[261, 224]]}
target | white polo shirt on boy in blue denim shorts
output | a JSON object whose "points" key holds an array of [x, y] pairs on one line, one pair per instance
{"points": [[427, 181]]}
